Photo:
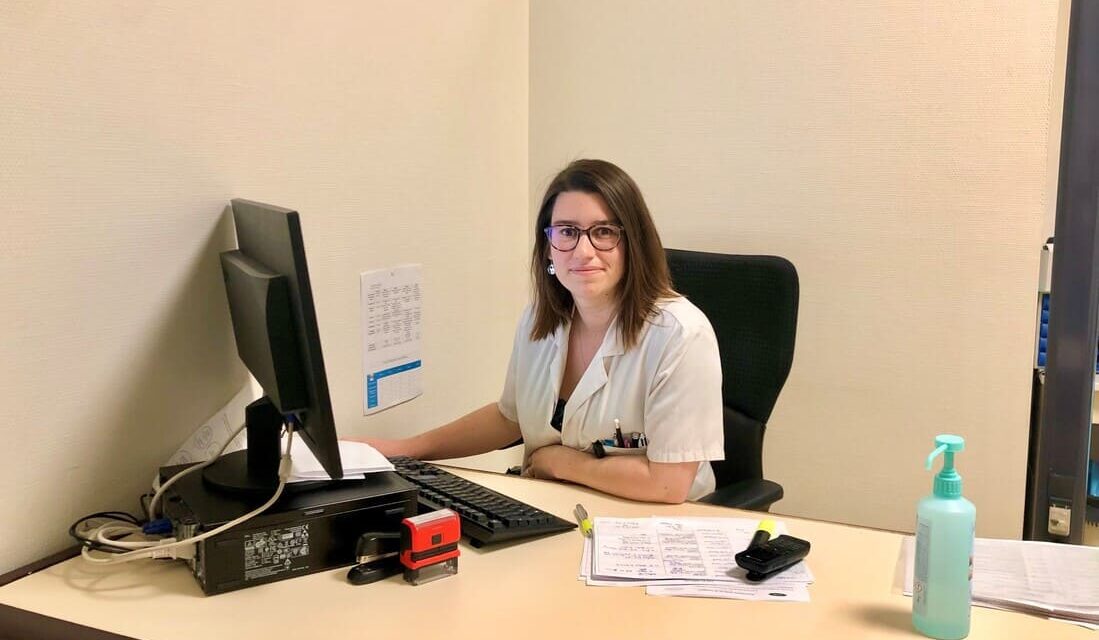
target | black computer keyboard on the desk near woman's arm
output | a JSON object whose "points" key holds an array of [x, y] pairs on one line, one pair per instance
{"points": [[487, 517]]}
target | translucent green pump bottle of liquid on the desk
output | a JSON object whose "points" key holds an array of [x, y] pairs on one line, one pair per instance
{"points": [[945, 531]]}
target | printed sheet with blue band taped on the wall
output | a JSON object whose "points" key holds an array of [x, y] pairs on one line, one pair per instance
{"points": [[392, 326]]}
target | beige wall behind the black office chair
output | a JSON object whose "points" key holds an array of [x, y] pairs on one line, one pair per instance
{"points": [[898, 155]]}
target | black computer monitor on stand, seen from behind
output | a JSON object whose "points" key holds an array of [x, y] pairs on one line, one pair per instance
{"points": [[272, 307]]}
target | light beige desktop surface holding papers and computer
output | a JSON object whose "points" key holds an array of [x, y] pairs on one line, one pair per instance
{"points": [[519, 591]]}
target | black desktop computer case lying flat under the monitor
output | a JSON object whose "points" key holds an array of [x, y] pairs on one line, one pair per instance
{"points": [[313, 527]]}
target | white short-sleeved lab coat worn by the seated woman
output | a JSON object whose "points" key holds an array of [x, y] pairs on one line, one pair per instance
{"points": [[669, 388]]}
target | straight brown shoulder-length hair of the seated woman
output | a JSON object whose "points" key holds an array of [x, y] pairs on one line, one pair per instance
{"points": [[647, 278]]}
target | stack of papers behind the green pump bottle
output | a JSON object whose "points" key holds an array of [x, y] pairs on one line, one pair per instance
{"points": [[1048, 579]]}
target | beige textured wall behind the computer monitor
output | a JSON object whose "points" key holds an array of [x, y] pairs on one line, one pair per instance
{"points": [[398, 130]]}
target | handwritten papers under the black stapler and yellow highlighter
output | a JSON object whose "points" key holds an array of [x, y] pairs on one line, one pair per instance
{"points": [[684, 557]]}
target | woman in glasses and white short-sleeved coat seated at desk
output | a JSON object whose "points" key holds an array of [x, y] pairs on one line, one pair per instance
{"points": [[607, 343]]}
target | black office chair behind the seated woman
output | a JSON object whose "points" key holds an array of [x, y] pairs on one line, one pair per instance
{"points": [[752, 303]]}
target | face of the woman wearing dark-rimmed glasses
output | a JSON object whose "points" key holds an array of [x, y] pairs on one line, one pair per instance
{"points": [[591, 274]]}
